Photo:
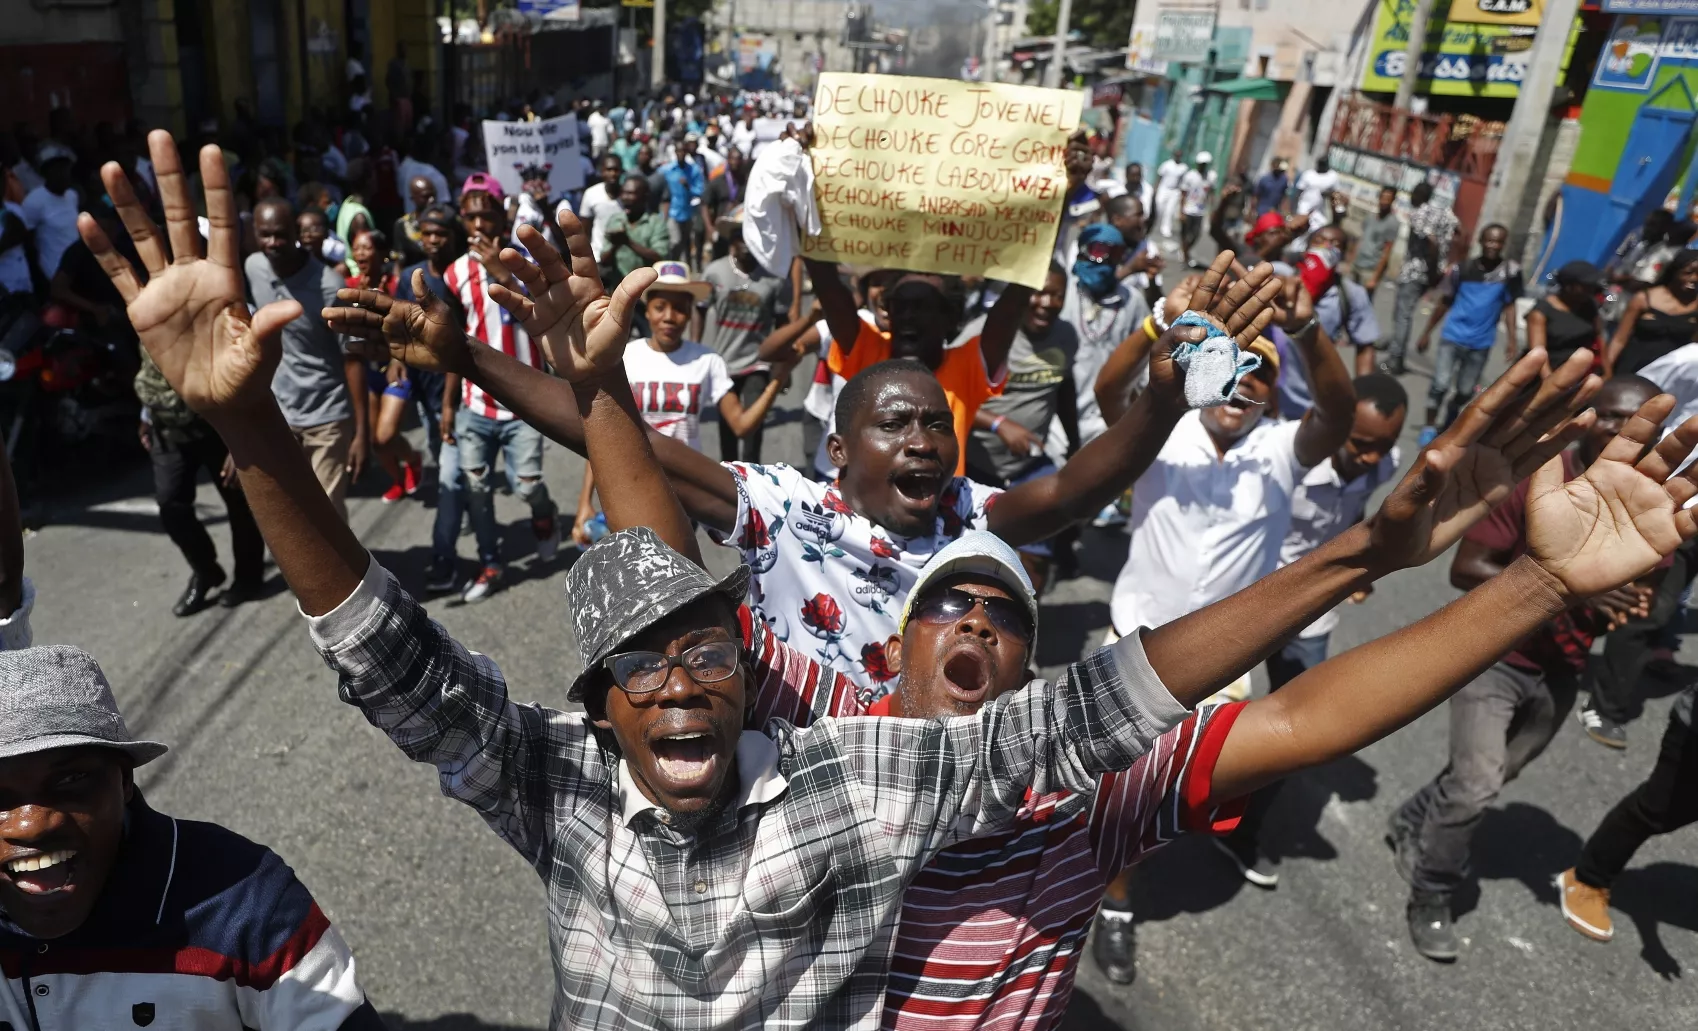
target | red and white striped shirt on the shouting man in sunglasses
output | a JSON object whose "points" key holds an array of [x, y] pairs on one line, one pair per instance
{"points": [[994, 928]]}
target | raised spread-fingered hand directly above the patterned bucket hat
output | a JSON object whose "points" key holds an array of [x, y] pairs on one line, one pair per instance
{"points": [[580, 327]]}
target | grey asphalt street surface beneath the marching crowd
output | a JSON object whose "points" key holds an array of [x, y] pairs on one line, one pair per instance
{"points": [[447, 923]]}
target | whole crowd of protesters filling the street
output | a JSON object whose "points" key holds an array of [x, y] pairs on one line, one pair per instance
{"points": [[792, 786]]}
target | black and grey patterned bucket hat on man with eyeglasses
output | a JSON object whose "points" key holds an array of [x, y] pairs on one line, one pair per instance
{"points": [[627, 583]]}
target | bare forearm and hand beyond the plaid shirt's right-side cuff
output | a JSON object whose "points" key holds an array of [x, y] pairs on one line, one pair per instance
{"points": [[1509, 432]]}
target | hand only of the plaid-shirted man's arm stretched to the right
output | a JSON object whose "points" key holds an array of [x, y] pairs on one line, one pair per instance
{"points": [[1510, 431]]}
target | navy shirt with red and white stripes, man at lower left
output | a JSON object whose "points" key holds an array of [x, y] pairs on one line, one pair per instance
{"points": [[196, 930]]}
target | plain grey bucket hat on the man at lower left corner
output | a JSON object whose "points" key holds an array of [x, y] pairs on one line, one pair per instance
{"points": [[57, 697]]}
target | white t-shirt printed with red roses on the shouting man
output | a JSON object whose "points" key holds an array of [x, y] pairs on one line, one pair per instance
{"points": [[826, 580]]}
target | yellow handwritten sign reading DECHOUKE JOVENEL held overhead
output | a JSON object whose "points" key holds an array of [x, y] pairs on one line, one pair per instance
{"points": [[940, 176]]}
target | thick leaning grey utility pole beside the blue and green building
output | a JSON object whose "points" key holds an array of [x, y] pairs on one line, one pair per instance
{"points": [[1515, 176]]}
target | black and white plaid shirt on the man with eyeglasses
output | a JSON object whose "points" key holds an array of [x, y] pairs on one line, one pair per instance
{"points": [[784, 911]]}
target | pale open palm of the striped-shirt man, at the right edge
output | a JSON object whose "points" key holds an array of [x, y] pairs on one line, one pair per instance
{"points": [[1622, 515]]}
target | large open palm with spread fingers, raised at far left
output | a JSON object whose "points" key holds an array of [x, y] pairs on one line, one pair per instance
{"points": [[191, 313]]}
